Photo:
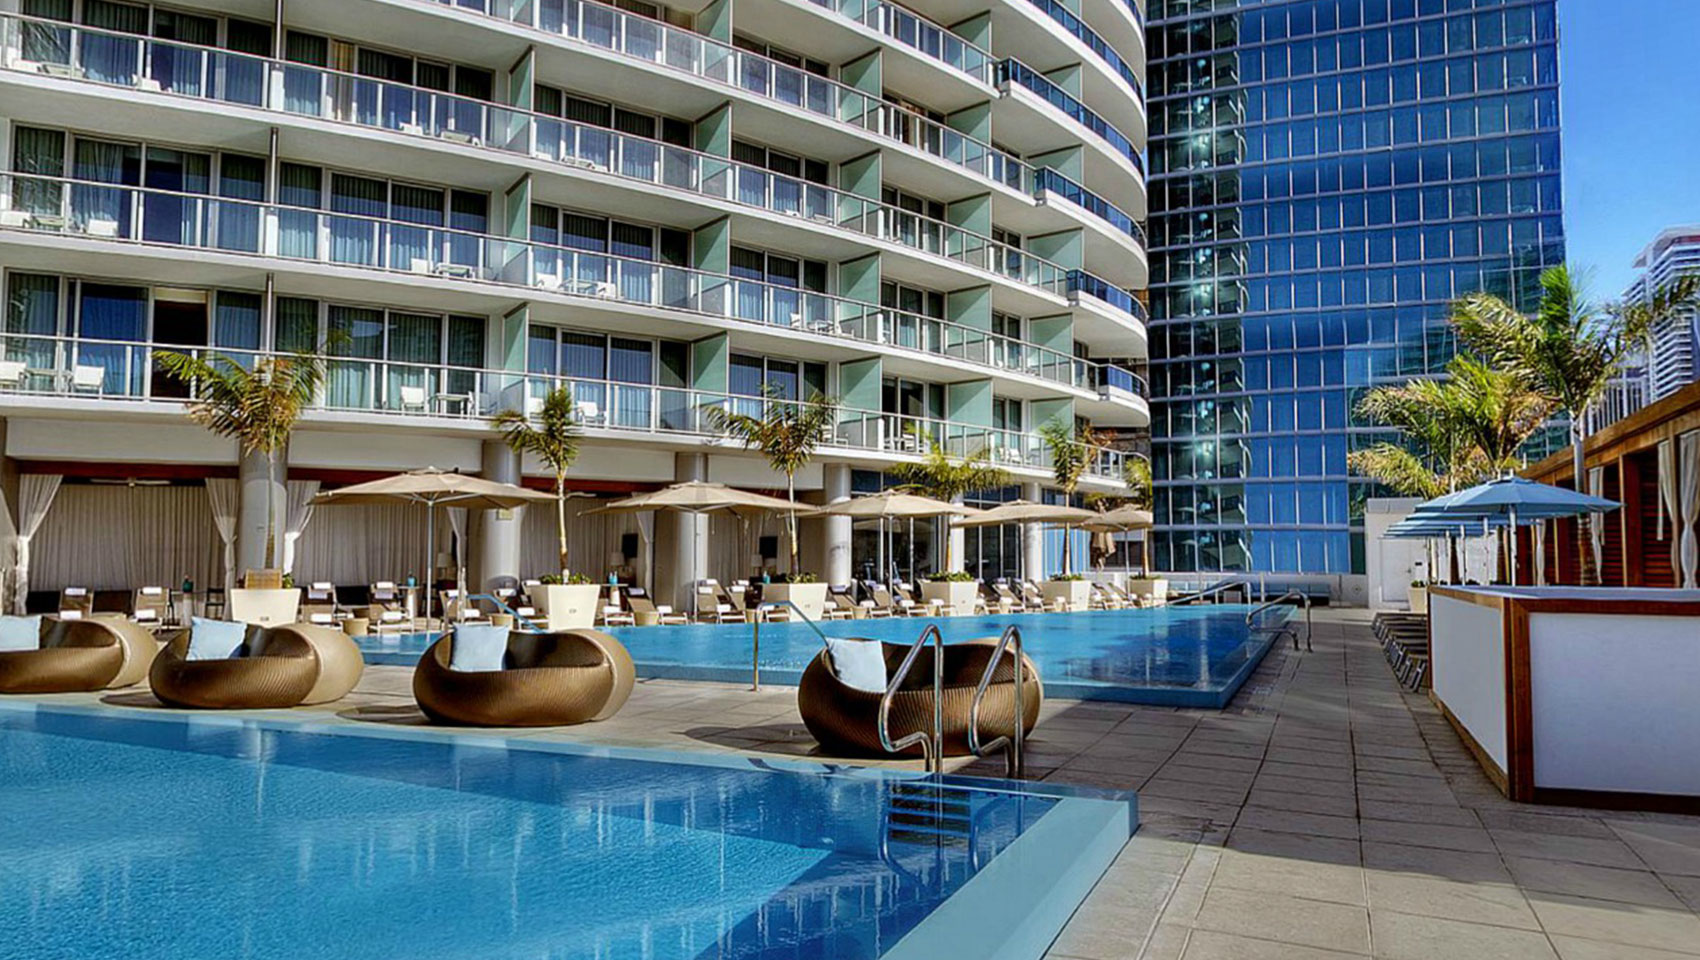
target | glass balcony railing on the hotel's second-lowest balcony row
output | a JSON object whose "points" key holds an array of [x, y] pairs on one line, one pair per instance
{"points": [[106, 212]]}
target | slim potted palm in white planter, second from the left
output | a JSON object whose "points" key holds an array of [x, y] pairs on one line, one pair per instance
{"points": [[567, 601]]}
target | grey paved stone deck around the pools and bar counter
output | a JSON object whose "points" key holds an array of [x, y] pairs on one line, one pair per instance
{"points": [[1323, 815]]}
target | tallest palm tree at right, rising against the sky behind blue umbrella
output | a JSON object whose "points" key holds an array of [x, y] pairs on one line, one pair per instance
{"points": [[1570, 349]]}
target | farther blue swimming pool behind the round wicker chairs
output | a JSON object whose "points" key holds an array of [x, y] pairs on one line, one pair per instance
{"points": [[1176, 657]]}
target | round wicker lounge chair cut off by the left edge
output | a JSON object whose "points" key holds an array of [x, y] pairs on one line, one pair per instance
{"points": [[93, 653]]}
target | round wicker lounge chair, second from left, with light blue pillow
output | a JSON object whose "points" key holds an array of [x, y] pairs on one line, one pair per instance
{"points": [[276, 667]]}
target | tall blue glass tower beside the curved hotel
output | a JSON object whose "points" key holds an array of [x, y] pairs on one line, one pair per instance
{"points": [[1327, 176]]}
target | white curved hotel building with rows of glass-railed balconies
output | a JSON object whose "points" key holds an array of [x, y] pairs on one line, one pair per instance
{"points": [[931, 213]]}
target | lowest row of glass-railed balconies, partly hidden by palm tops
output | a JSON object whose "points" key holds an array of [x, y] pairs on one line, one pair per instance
{"points": [[42, 368]]}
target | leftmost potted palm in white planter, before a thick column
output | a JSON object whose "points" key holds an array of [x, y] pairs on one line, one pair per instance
{"points": [[259, 409]]}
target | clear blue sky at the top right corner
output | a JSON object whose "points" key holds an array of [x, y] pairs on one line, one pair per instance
{"points": [[1629, 77]]}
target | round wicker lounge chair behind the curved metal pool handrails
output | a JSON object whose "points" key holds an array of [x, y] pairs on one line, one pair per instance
{"points": [[846, 721]]}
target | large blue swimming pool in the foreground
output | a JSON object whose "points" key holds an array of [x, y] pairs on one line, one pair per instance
{"points": [[162, 837]]}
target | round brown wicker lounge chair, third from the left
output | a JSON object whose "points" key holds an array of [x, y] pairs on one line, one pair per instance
{"points": [[547, 680]]}
